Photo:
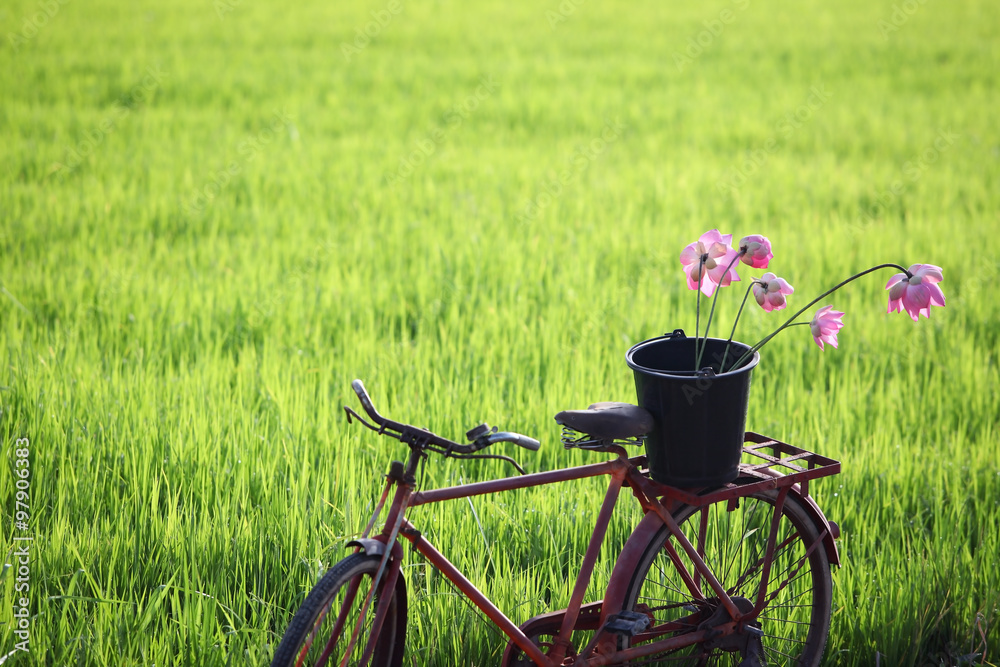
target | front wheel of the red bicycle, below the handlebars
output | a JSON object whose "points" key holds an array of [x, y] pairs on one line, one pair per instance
{"points": [[320, 633]]}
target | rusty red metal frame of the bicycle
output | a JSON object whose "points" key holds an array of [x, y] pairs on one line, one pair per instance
{"points": [[657, 501]]}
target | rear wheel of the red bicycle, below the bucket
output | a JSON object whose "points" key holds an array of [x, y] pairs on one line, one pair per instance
{"points": [[793, 626]]}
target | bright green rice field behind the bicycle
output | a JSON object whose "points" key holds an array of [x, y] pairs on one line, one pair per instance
{"points": [[215, 214]]}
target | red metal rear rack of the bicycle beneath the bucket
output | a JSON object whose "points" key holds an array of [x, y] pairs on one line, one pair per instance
{"points": [[785, 465]]}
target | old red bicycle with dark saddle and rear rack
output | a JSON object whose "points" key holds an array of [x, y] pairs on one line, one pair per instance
{"points": [[740, 572]]}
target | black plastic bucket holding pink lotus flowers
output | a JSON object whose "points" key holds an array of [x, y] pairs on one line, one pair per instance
{"points": [[697, 439]]}
